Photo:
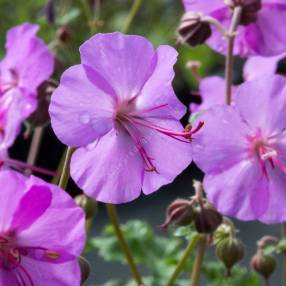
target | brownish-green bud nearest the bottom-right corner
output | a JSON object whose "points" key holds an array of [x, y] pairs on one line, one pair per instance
{"points": [[263, 264]]}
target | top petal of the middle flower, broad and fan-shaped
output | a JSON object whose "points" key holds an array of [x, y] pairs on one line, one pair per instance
{"points": [[121, 61]]}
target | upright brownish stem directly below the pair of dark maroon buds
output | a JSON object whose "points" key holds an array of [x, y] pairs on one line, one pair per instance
{"points": [[196, 273]]}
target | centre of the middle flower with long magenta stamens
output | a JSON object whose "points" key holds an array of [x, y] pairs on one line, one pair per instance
{"points": [[132, 121]]}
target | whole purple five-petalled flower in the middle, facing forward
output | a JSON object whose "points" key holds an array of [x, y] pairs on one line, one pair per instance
{"points": [[120, 109]]}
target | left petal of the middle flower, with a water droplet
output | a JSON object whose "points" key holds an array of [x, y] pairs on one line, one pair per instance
{"points": [[80, 112]]}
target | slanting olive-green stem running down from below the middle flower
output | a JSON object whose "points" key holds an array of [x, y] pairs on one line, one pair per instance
{"points": [[123, 244]]}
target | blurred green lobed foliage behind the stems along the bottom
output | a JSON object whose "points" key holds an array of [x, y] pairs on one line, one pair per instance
{"points": [[158, 256]]}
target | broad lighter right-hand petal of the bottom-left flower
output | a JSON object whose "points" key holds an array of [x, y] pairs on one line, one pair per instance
{"points": [[63, 221]]}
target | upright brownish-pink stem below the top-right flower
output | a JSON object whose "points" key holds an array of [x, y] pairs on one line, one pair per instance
{"points": [[229, 56]]}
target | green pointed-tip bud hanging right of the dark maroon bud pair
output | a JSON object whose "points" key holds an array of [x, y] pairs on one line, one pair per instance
{"points": [[230, 251]]}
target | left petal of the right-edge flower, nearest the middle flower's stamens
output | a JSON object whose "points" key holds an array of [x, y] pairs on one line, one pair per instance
{"points": [[221, 143]]}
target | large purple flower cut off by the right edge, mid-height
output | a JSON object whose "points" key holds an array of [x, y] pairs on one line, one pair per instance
{"points": [[242, 150]]}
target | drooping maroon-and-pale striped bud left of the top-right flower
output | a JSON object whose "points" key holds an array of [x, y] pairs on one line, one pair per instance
{"points": [[192, 30]]}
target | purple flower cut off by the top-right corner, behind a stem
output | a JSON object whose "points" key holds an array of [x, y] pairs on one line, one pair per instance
{"points": [[263, 35]]}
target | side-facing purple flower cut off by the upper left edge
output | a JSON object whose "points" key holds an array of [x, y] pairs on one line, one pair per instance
{"points": [[28, 62]]}
